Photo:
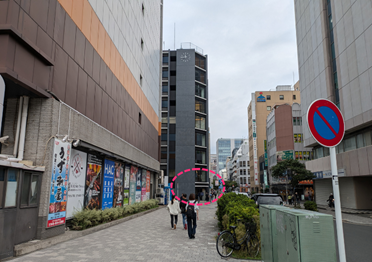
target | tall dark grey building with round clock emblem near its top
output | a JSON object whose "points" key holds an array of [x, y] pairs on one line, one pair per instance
{"points": [[184, 128]]}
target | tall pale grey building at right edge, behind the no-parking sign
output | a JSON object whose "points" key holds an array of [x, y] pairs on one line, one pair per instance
{"points": [[334, 58]]}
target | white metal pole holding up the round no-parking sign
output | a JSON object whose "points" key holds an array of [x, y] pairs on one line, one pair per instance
{"points": [[336, 195]]}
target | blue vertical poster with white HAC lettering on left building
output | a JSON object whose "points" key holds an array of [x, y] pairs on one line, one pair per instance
{"points": [[108, 184]]}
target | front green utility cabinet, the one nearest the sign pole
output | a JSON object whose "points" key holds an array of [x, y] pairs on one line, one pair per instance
{"points": [[305, 236]]}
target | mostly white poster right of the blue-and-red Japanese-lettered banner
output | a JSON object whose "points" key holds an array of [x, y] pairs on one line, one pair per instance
{"points": [[76, 183]]}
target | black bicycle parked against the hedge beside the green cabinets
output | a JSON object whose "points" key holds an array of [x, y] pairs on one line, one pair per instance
{"points": [[227, 242]]}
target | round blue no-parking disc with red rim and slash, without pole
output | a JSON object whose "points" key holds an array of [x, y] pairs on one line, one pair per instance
{"points": [[325, 122]]}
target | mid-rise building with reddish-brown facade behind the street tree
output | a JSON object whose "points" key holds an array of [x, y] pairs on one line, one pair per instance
{"points": [[284, 141]]}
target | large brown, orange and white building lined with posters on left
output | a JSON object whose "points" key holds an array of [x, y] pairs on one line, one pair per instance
{"points": [[80, 99]]}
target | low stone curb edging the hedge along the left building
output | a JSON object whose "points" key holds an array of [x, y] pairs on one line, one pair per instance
{"points": [[34, 245]]}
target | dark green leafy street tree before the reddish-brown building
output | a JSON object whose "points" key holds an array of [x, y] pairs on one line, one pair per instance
{"points": [[298, 171]]}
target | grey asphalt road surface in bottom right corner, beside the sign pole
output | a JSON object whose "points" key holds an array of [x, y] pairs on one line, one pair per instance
{"points": [[358, 242]]}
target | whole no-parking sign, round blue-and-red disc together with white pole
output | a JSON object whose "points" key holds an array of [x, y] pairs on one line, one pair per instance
{"points": [[327, 126]]}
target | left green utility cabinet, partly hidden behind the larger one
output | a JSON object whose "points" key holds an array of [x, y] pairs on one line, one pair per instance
{"points": [[269, 243]]}
